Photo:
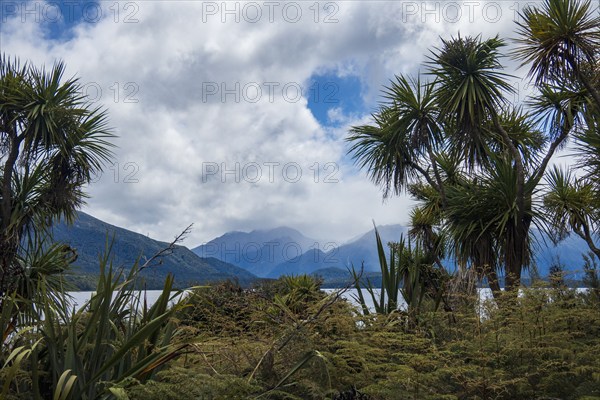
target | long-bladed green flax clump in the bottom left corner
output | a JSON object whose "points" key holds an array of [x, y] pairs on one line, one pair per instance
{"points": [[89, 352]]}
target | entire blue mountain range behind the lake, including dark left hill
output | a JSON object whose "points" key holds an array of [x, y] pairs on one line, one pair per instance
{"points": [[259, 254]]}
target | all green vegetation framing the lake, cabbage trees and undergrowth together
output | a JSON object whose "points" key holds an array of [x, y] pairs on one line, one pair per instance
{"points": [[475, 172]]}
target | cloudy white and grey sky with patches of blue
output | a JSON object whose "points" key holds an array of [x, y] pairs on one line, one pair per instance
{"points": [[232, 115]]}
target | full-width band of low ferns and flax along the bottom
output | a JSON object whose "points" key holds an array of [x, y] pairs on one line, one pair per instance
{"points": [[286, 339]]}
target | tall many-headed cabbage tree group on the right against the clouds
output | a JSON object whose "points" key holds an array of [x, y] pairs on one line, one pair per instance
{"points": [[485, 160]]}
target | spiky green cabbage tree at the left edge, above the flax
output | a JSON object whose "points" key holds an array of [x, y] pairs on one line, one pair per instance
{"points": [[51, 144]]}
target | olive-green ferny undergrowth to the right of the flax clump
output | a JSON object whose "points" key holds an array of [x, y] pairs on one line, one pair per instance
{"points": [[540, 345]]}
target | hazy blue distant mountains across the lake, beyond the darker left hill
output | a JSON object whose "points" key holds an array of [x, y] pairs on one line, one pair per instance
{"points": [[276, 252]]}
